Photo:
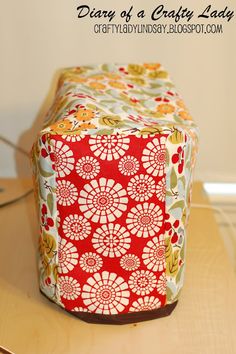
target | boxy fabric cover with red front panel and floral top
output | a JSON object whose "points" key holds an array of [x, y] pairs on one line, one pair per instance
{"points": [[112, 174]]}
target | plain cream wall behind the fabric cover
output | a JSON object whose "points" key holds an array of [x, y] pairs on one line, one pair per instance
{"points": [[38, 37]]}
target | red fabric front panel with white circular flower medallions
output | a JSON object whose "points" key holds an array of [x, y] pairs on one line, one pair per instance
{"points": [[111, 212]]}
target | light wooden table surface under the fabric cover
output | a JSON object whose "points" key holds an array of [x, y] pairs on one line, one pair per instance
{"points": [[203, 322]]}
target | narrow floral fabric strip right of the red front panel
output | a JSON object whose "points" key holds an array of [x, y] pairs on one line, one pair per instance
{"points": [[178, 174]]}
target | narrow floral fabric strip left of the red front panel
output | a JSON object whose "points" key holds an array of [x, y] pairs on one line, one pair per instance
{"points": [[47, 209]]}
